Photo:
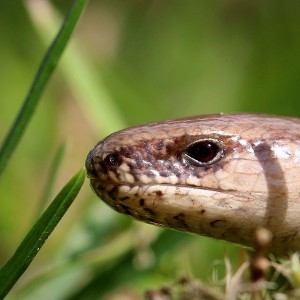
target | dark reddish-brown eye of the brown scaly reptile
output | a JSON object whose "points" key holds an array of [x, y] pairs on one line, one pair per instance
{"points": [[204, 152]]}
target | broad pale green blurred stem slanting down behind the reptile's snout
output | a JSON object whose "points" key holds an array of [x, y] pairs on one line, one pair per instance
{"points": [[86, 84]]}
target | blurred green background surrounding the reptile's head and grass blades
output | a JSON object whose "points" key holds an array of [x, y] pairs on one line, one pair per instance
{"points": [[130, 62]]}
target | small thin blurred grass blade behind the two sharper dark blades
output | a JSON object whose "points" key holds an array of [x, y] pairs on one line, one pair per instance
{"points": [[46, 196]]}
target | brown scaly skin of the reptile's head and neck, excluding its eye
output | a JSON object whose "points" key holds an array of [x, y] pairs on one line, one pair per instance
{"points": [[143, 172]]}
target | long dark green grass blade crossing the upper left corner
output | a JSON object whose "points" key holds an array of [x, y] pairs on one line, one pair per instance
{"points": [[46, 68]]}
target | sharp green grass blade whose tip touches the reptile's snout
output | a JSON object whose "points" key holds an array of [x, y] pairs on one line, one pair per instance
{"points": [[36, 237]]}
